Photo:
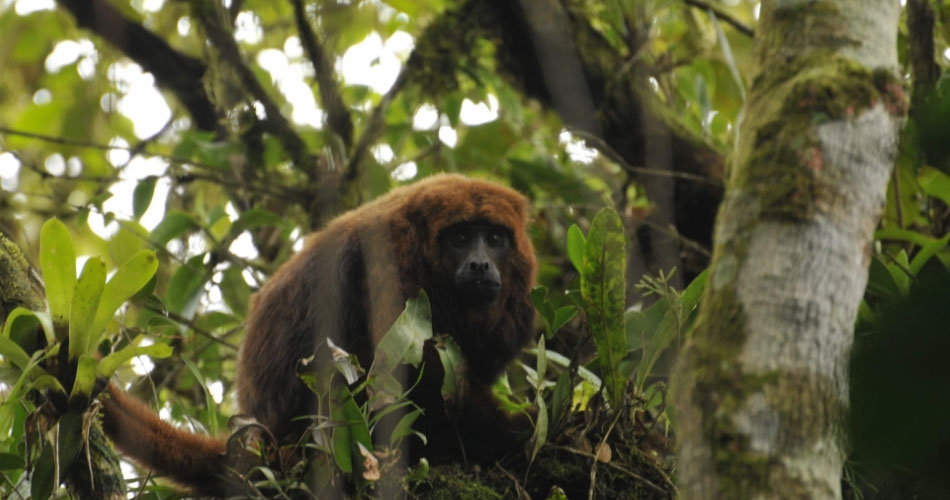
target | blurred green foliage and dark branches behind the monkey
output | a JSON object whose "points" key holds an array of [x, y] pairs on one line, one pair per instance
{"points": [[217, 135]]}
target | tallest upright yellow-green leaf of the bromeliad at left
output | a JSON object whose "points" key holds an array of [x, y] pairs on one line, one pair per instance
{"points": [[58, 263]]}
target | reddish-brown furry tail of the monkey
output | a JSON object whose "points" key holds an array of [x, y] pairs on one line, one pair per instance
{"points": [[192, 460]]}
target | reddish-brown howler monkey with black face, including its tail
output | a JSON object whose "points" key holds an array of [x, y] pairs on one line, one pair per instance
{"points": [[461, 240]]}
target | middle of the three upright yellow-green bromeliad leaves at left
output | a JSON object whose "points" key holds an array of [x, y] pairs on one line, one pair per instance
{"points": [[82, 314]]}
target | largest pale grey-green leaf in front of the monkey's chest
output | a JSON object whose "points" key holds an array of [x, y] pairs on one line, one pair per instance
{"points": [[404, 340]]}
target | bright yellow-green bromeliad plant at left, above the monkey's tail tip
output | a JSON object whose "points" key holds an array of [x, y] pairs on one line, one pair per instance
{"points": [[78, 311]]}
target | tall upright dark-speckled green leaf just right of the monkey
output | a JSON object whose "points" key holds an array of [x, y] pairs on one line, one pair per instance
{"points": [[604, 292]]}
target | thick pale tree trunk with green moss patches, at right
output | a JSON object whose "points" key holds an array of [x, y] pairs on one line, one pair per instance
{"points": [[762, 386]]}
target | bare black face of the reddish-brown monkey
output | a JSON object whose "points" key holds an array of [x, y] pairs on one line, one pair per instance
{"points": [[476, 251]]}
